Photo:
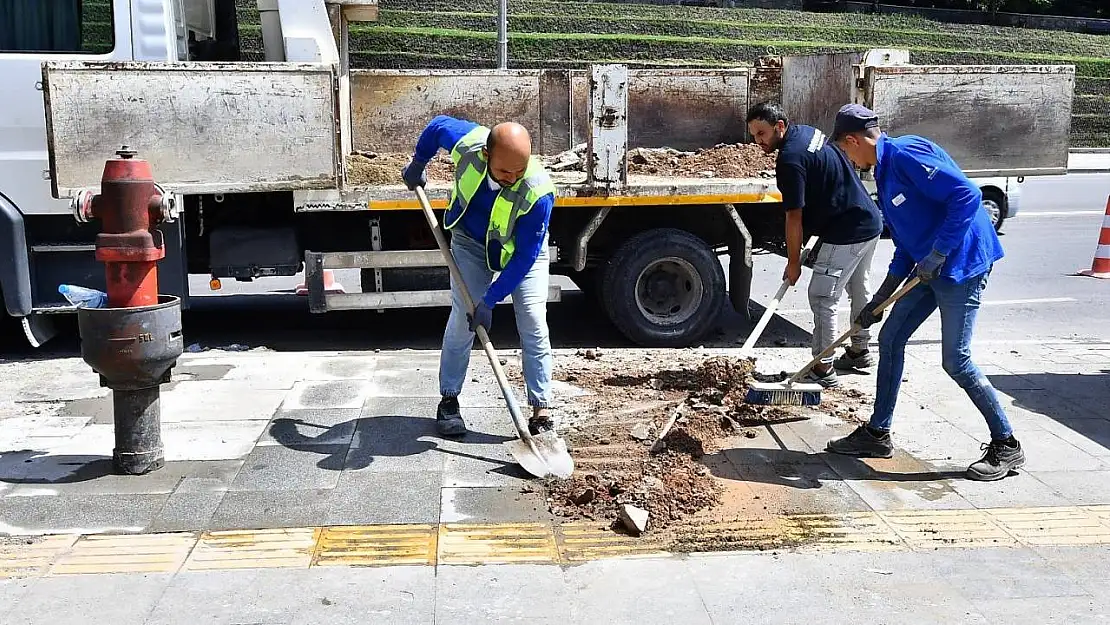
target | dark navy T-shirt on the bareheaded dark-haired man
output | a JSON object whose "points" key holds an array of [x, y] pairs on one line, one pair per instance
{"points": [[813, 175]]}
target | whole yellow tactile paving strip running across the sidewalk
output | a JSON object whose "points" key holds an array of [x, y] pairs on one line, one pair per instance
{"points": [[543, 543]]}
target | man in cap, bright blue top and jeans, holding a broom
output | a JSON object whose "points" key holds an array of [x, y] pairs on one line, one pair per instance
{"points": [[942, 235]]}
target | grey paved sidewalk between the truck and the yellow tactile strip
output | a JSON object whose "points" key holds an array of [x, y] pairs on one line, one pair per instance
{"points": [[290, 440]]}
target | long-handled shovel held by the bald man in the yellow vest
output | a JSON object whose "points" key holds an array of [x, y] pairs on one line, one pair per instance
{"points": [[543, 455]]}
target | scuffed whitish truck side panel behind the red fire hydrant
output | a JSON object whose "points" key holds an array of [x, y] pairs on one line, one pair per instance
{"points": [[206, 128]]}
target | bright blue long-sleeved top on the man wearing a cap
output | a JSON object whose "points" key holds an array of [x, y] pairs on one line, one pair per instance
{"points": [[931, 205]]}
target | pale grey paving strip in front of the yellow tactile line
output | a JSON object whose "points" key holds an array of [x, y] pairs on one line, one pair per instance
{"points": [[1016, 587]]}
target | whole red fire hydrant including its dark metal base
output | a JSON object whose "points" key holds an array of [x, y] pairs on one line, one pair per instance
{"points": [[136, 341]]}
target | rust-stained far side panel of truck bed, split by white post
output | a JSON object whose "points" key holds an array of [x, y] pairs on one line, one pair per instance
{"points": [[681, 109]]}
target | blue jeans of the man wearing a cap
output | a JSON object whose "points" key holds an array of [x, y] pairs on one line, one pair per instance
{"points": [[958, 304]]}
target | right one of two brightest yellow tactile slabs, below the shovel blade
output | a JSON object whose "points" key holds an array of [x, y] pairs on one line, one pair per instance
{"points": [[504, 543]]}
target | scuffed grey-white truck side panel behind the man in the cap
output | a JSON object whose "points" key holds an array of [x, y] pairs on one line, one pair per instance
{"points": [[995, 120]]}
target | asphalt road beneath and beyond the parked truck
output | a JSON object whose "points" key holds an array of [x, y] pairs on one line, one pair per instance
{"points": [[1033, 295]]}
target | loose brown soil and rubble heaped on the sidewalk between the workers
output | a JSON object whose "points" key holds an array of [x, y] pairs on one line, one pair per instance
{"points": [[611, 431]]}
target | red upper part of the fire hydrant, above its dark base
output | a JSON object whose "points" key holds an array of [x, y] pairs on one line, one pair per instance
{"points": [[129, 207]]}
